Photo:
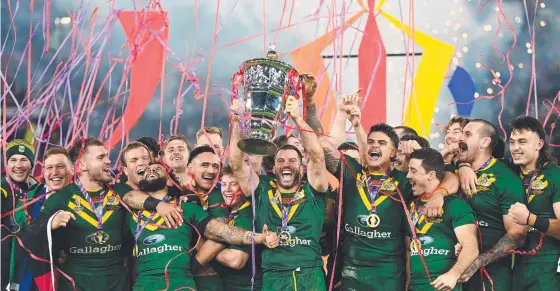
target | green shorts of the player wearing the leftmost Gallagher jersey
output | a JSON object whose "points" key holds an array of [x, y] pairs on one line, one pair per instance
{"points": [[93, 282]]}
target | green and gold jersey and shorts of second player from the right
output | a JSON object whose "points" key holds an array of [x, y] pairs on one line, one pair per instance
{"points": [[498, 188]]}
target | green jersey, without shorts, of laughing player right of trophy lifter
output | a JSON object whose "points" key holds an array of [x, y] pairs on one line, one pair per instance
{"points": [[365, 245]]}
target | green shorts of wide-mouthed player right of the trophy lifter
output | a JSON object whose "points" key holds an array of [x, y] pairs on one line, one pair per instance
{"points": [[357, 278]]}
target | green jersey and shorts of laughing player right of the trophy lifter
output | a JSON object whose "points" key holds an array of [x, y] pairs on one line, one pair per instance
{"points": [[373, 245]]}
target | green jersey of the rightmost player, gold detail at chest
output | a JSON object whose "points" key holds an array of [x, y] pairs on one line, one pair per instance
{"points": [[544, 192]]}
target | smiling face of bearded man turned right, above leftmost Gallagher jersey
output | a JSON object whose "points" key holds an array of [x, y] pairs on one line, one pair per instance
{"points": [[95, 162]]}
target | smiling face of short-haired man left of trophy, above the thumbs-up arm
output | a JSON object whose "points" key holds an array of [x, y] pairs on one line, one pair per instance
{"points": [[205, 168]]}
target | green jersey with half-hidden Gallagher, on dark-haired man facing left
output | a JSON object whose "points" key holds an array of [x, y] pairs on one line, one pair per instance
{"points": [[437, 238]]}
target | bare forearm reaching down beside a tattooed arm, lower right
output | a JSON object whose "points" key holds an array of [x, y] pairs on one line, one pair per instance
{"points": [[466, 235]]}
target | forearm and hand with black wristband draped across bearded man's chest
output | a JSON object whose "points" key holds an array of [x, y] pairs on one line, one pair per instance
{"points": [[172, 214]]}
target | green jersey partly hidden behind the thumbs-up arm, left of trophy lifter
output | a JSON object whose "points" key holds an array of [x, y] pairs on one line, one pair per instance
{"points": [[242, 217]]}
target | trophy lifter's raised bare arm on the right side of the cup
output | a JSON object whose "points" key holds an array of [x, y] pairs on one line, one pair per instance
{"points": [[317, 173]]}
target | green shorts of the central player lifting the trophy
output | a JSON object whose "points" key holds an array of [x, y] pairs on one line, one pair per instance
{"points": [[308, 279]]}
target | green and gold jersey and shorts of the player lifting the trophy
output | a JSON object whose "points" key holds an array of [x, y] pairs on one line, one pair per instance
{"points": [[298, 256]]}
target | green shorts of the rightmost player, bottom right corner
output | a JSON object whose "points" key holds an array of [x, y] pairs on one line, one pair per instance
{"points": [[536, 277]]}
